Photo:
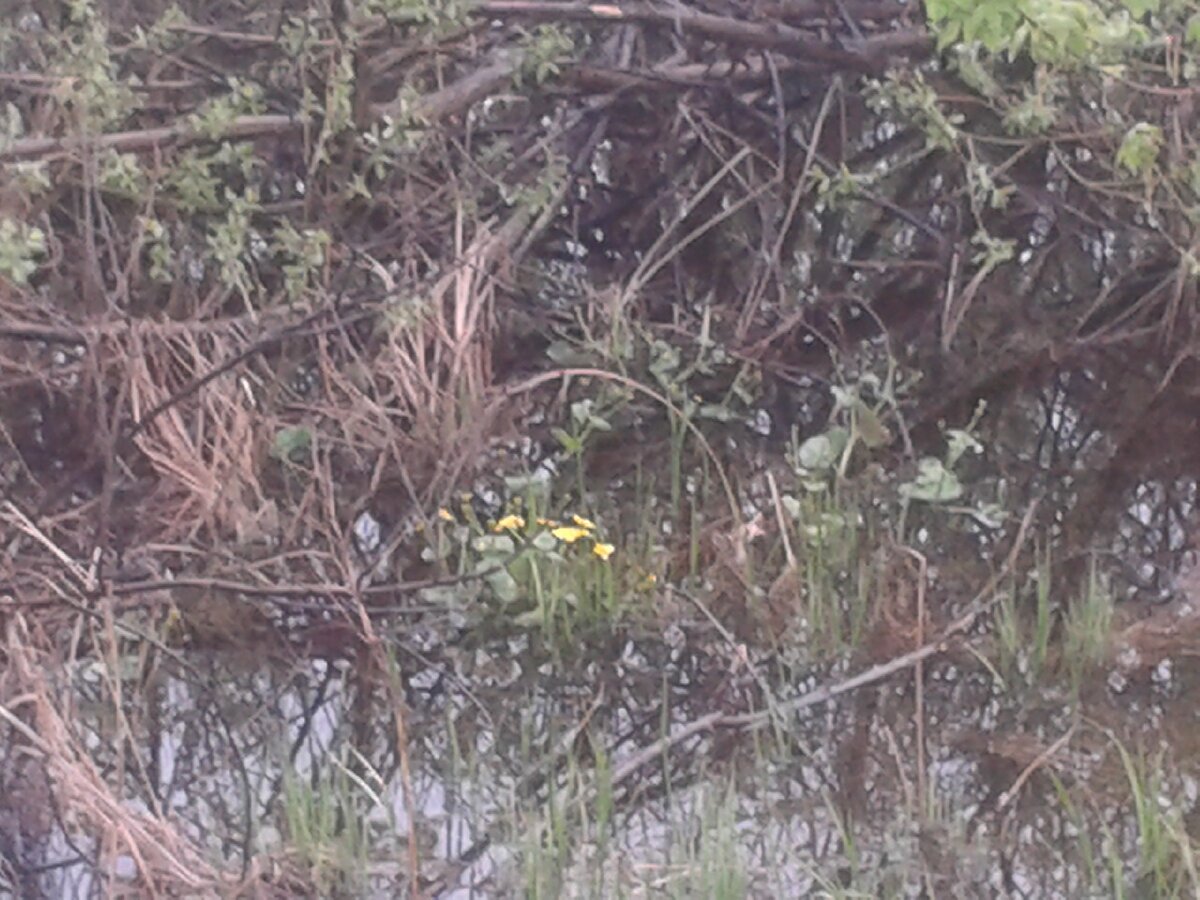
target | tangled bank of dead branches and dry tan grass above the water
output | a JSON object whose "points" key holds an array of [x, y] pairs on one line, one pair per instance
{"points": [[299, 262]]}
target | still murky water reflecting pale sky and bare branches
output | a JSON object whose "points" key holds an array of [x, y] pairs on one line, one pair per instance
{"points": [[832, 801]]}
